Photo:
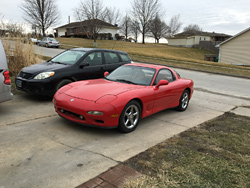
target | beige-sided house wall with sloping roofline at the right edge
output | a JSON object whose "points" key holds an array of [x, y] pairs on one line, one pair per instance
{"points": [[236, 50]]}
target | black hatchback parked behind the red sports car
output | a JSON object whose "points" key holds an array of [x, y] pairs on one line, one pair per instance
{"points": [[69, 66]]}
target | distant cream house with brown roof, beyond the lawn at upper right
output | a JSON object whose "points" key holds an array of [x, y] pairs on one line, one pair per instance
{"points": [[200, 39]]}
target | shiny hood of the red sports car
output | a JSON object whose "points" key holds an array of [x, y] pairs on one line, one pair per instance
{"points": [[95, 89]]}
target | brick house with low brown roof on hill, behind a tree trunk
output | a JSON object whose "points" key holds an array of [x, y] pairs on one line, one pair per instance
{"points": [[83, 29]]}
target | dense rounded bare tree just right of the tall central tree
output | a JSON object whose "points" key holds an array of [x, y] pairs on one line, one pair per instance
{"points": [[158, 28]]}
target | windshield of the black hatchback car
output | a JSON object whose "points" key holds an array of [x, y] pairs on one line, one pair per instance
{"points": [[69, 57]]}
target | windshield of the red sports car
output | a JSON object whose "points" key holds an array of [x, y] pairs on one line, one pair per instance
{"points": [[132, 75]]}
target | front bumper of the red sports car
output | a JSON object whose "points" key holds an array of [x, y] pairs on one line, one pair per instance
{"points": [[76, 110]]}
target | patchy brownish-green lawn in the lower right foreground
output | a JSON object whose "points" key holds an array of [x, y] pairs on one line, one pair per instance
{"points": [[215, 154]]}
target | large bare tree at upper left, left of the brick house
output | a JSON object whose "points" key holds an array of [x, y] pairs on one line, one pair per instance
{"points": [[41, 13]]}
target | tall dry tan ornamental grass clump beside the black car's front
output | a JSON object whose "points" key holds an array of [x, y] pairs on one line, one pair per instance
{"points": [[19, 55]]}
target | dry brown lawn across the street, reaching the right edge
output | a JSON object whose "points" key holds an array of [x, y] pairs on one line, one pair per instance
{"points": [[190, 58]]}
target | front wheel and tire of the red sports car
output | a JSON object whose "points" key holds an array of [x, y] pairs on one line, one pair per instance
{"points": [[130, 117]]}
